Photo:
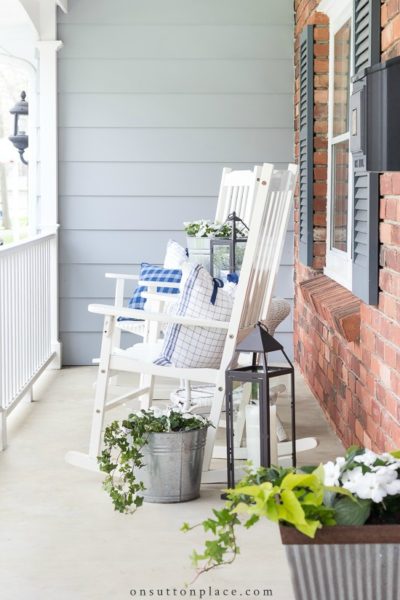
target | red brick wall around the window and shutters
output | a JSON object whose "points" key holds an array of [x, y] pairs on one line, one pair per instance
{"points": [[357, 384]]}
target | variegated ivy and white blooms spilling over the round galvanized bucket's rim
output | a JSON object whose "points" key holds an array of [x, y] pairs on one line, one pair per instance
{"points": [[122, 453]]}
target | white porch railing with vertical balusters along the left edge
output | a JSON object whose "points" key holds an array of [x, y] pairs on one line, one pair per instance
{"points": [[28, 318]]}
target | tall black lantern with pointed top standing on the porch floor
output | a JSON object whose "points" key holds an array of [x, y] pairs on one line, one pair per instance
{"points": [[259, 343]]}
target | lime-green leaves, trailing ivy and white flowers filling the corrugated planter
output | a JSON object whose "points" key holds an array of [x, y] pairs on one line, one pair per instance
{"points": [[365, 490]]}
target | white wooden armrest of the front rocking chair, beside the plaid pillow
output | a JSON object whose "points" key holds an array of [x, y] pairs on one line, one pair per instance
{"points": [[129, 313]]}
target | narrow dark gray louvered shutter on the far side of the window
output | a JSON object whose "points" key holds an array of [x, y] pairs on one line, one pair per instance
{"points": [[306, 145]]}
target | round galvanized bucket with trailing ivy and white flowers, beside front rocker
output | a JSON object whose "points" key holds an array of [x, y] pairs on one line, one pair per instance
{"points": [[153, 455]]}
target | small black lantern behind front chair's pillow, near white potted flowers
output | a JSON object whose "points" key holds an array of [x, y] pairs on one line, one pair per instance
{"points": [[226, 253]]}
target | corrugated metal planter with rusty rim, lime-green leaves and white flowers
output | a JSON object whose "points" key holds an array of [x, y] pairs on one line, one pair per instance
{"points": [[339, 522]]}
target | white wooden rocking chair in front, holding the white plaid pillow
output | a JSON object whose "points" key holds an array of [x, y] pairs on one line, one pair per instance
{"points": [[268, 225]]}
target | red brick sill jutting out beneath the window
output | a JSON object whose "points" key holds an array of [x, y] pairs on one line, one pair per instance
{"points": [[335, 304]]}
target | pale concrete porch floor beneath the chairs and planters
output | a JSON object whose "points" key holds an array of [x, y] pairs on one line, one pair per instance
{"points": [[61, 539]]}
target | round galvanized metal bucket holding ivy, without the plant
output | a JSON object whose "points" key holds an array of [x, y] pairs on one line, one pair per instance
{"points": [[173, 465]]}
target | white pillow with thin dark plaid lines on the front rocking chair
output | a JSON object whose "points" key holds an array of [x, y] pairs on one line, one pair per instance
{"points": [[198, 347]]}
